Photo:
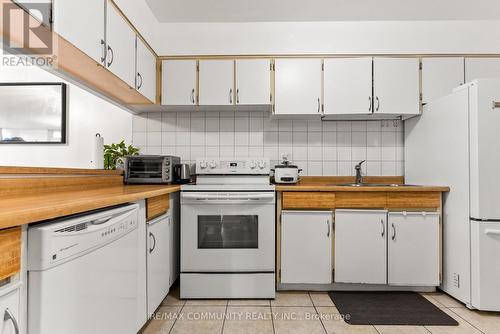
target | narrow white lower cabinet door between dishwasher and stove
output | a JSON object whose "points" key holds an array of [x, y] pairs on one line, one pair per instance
{"points": [[158, 261]]}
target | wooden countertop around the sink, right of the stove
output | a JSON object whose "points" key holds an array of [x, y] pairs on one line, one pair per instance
{"points": [[313, 183]]}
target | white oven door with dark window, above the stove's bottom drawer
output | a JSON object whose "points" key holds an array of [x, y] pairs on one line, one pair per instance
{"points": [[227, 232]]}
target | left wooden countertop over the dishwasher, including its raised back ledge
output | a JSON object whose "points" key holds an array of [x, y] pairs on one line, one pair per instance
{"points": [[33, 194]]}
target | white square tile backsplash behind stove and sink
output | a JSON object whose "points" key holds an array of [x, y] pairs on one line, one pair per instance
{"points": [[319, 148]]}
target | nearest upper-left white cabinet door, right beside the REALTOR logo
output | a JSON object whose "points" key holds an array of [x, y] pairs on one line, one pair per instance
{"points": [[72, 21]]}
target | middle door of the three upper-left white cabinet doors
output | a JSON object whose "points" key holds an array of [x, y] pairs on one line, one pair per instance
{"points": [[120, 40]]}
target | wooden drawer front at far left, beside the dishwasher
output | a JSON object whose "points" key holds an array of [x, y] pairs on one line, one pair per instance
{"points": [[10, 252]]}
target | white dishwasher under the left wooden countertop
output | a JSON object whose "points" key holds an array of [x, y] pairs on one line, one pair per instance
{"points": [[83, 274]]}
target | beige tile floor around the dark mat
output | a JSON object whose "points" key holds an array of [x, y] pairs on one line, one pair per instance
{"points": [[298, 312]]}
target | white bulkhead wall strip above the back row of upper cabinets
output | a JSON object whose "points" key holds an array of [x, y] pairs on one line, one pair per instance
{"points": [[330, 37]]}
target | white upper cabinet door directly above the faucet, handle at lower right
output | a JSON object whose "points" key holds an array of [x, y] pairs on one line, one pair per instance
{"points": [[348, 86]]}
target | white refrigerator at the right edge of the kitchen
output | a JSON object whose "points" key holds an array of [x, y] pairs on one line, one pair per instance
{"points": [[456, 143]]}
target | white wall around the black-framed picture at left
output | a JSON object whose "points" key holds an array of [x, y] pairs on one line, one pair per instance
{"points": [[87, 115]]}
